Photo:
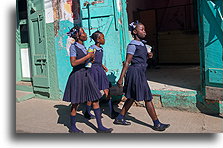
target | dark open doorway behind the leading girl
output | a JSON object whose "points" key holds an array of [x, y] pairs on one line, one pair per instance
{"points": [[172, 31]]}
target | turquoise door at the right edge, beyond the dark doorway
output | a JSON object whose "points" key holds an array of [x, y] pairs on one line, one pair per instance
{"points": [[211, 41]]}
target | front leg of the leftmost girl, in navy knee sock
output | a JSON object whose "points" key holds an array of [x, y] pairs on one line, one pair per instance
{"points": [[97, 112]]}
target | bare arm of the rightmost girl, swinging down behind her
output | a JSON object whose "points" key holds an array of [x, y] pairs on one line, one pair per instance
{"points": [[124, 69]]}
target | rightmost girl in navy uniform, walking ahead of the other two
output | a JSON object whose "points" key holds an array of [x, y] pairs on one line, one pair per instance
{"points": [[134, 70]]}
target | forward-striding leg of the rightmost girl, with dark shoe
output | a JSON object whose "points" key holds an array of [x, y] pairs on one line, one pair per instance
{"points": [[152, 113]]}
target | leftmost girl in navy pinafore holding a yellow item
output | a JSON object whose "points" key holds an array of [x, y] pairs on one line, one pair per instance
{"points": [[80, 86]]}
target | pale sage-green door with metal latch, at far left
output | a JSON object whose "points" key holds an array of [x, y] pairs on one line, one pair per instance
{"points": [[40, 70]]}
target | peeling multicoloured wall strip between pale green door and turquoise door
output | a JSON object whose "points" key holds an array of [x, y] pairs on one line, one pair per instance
{"points": [[59, 18]]}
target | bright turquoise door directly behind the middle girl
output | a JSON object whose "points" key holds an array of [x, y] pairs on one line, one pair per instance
{"points": [[104, 16]]}
